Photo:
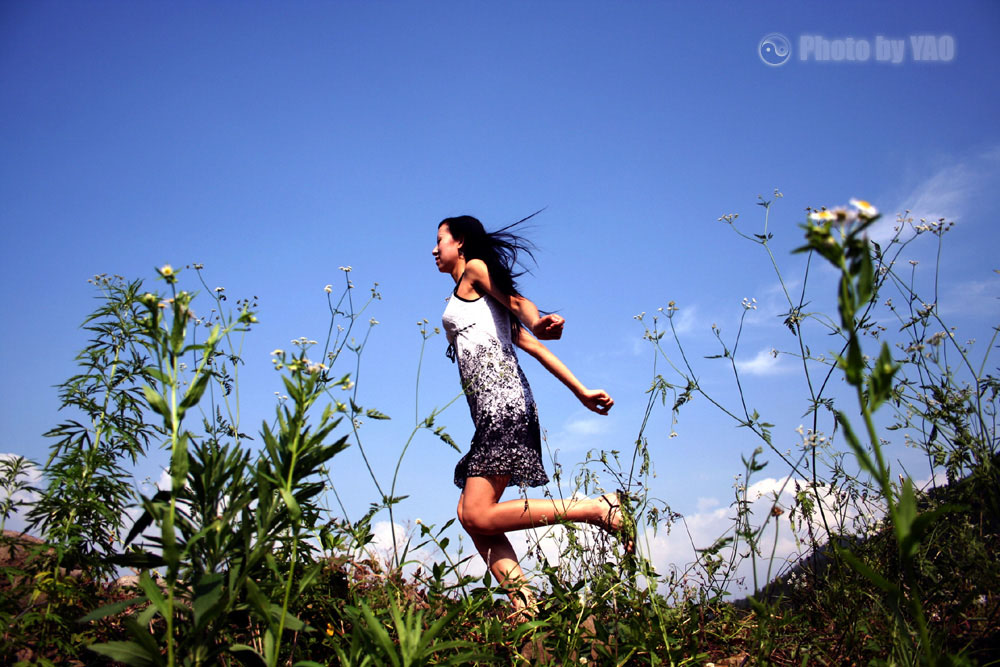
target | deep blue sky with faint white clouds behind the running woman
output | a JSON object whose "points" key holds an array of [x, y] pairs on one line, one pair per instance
{"points": [[275, 142]]}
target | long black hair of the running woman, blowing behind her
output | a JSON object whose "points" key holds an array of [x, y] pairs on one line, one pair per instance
{"points": [[502, 251]]}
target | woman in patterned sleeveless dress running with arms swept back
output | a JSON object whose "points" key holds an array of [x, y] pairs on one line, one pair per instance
{"points": [[483, 322]]}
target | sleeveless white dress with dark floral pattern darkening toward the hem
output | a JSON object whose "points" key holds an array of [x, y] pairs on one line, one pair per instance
{"points": [[507, 439]]}
